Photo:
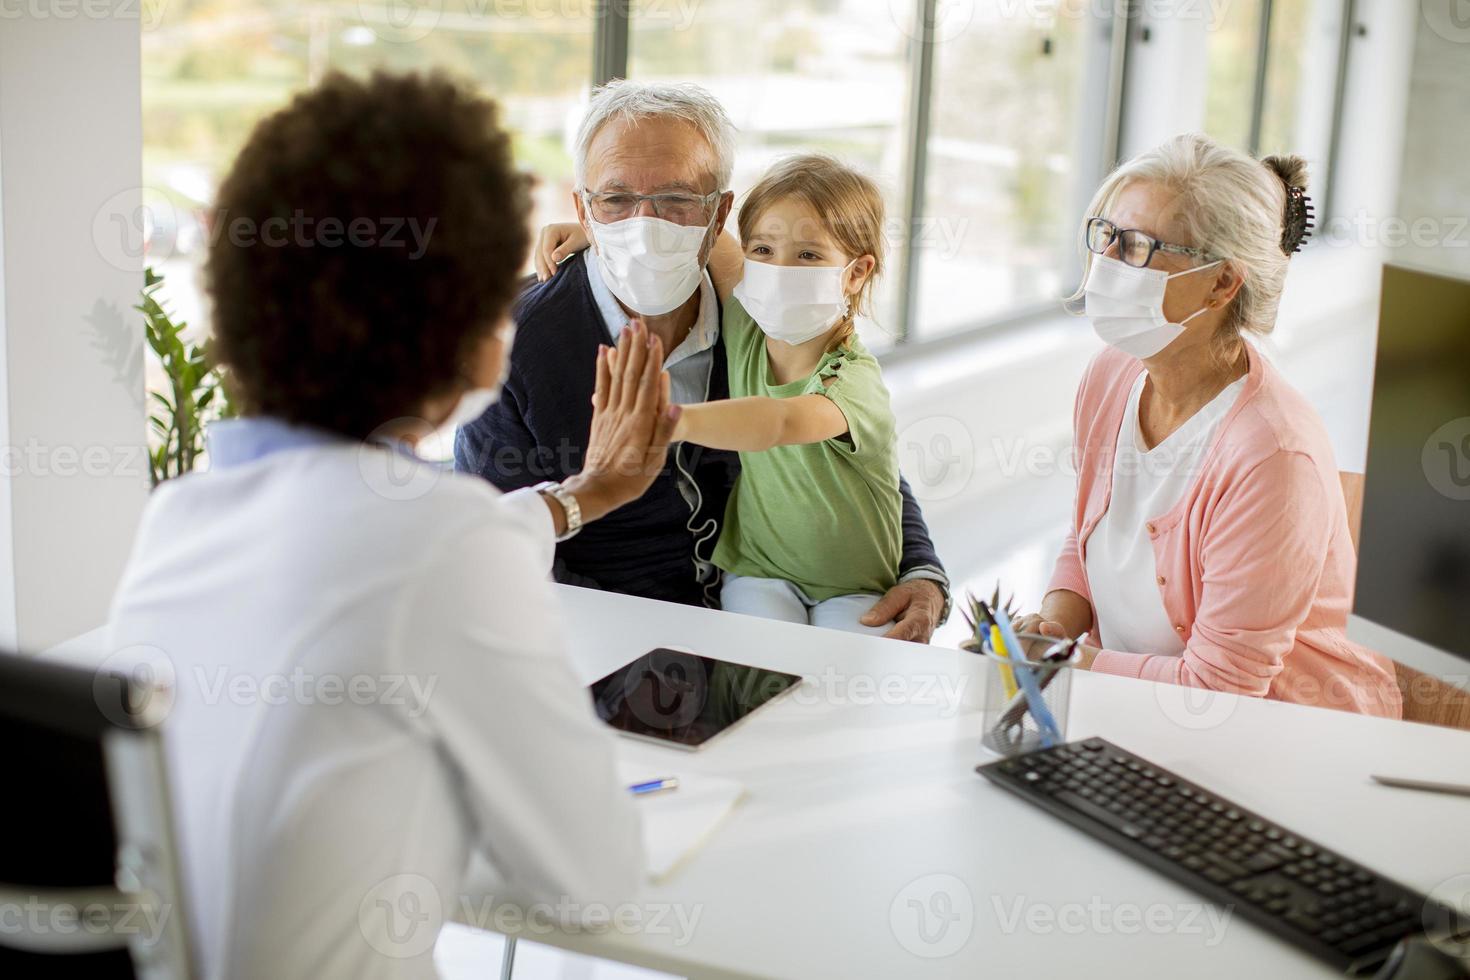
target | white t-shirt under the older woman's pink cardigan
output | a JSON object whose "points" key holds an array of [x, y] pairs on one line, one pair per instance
{"points": [[1147, 484]]}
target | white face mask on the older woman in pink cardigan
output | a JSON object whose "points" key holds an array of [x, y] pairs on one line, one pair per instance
{"points": [[1127, 306]]}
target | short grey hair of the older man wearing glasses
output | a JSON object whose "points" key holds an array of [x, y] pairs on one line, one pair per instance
{"points": [[630, 101]]}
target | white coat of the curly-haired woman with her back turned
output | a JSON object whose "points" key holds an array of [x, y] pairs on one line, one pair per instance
{"points": [[371, 690]]}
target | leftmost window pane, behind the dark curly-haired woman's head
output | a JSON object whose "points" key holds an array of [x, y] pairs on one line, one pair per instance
{"points": [[212, 70]]}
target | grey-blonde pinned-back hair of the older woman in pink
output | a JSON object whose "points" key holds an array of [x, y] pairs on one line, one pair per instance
{"points": [[1225, 203]]}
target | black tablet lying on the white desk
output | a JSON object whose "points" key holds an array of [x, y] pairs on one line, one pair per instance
{"points": [[683, 699]]}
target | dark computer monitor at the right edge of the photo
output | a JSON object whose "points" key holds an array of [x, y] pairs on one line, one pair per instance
{"points": [[1415, 553]]}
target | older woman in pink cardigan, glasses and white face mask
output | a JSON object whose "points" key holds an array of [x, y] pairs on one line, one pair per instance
{"points": [[1209, 544]]}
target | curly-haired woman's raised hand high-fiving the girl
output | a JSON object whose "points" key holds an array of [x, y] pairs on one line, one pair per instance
{"points": [[633, 422]]}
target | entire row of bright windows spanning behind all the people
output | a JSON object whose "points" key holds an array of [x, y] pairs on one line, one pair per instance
{"points": [[989, 123]]}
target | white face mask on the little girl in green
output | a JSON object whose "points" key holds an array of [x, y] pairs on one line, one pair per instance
{"points": [[795, 303]]}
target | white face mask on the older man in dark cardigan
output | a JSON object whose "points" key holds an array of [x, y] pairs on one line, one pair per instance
{"points": [[649, 264]]}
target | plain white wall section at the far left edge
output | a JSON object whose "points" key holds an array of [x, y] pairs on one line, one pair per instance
{"points": [[73, 478]]}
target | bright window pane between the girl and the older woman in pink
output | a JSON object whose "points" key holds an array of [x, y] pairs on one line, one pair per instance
{"points": [[1005, 154]]}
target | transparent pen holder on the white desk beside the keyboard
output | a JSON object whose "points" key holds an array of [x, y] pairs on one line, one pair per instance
{"points": [[1012, 724]]}
